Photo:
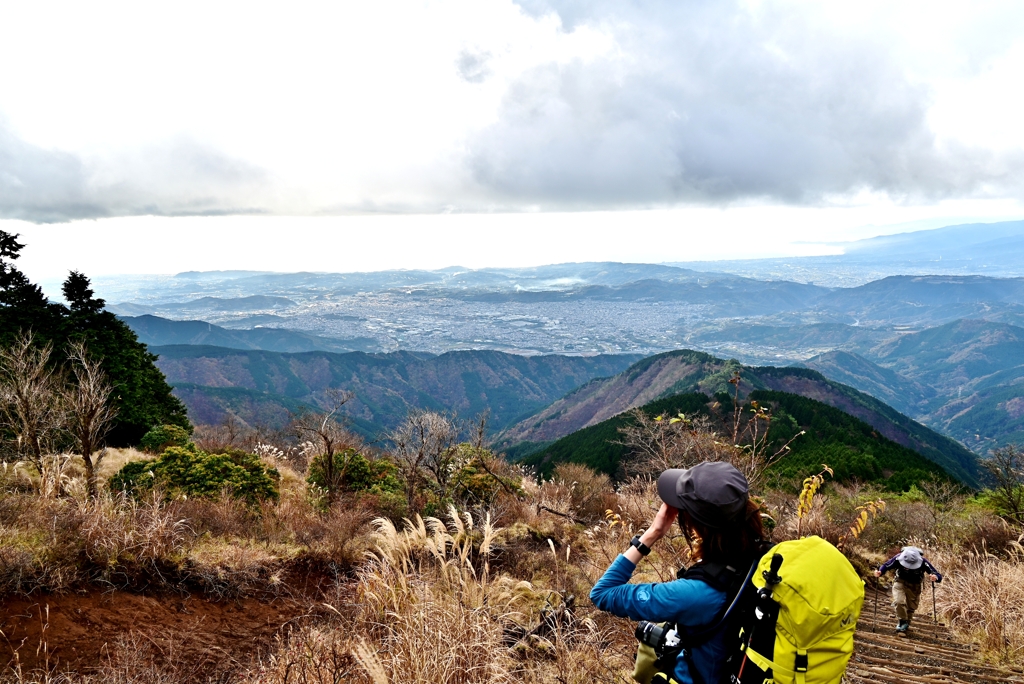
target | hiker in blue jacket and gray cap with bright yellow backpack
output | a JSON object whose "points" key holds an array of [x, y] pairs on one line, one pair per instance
{"points": [[744, 613]]}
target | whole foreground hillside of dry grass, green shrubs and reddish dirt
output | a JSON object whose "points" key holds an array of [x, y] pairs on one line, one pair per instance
{"points": [[453, 568]]}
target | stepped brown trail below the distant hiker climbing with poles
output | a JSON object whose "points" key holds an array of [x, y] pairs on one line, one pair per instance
{"points": [[929, 655]]}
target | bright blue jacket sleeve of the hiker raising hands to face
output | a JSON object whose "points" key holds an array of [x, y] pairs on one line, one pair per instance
{"points": [[690, 603]]}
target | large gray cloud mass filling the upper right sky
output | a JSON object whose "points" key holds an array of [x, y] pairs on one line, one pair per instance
{"points": [[714, 104]]}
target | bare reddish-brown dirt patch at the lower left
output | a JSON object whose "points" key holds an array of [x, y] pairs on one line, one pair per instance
{"points": [[81, 631]]}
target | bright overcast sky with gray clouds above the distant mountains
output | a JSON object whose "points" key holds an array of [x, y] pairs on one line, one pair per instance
{"points": [[163, 138]]}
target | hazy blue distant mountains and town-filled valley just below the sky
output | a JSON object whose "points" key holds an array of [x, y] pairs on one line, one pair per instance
{"points": [[942, 349]]}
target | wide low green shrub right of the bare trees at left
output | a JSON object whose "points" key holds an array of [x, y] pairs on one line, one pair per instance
{"points": [[191, 473]]}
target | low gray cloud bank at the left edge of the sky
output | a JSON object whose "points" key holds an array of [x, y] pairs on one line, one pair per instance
{"points": [[180, 178]]}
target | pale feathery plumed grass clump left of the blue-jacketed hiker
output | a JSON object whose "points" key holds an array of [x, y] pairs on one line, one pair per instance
{"points": [[431, 610]]}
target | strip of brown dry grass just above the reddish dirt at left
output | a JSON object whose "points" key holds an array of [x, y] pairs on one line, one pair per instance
{"points": [[223, 547]]}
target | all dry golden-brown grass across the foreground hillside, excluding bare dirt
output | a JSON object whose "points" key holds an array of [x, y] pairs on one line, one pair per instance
{"points": [[495, 596]]}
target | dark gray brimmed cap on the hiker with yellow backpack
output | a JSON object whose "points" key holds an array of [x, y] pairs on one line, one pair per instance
{"points": [[714, 494]]}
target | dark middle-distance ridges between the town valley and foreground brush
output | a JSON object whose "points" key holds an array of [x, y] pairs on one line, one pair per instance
{"points": [[532, 402]]}
